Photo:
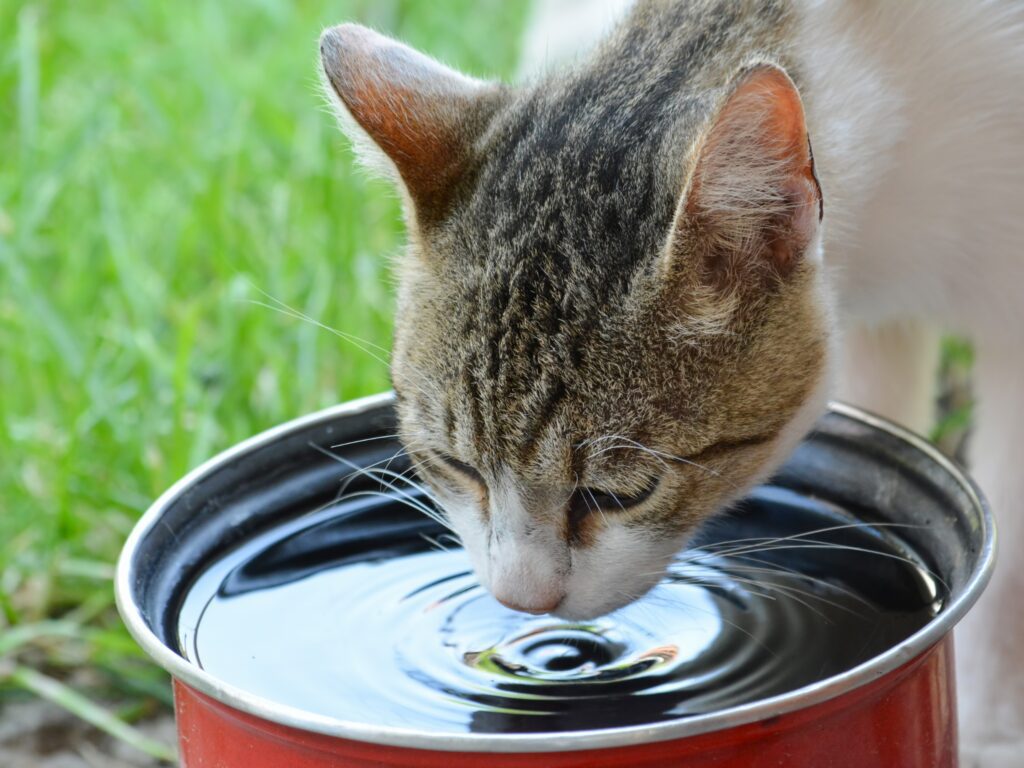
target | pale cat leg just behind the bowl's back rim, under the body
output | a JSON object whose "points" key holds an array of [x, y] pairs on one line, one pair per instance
{"points": [[892, 370]]}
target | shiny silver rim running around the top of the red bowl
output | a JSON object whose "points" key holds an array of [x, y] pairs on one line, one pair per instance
{"points": [[804, 698]]}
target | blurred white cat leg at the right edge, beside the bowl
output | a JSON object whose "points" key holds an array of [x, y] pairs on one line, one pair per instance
{"points": [[991, 641]]}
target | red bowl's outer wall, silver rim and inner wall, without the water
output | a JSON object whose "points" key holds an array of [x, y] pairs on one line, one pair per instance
{"points": [[897, 710]]}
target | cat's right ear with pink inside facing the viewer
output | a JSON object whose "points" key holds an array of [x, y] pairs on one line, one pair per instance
{"points": [[753, 203]]}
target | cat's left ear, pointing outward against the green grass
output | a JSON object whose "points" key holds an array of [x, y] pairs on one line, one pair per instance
{"points": [[407, 114]]}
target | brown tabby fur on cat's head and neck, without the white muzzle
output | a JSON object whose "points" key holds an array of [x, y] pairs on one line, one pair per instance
{"points": [[566, 289]]}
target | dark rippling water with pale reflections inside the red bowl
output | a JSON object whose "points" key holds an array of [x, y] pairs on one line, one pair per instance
{"points": [[352, 613]]}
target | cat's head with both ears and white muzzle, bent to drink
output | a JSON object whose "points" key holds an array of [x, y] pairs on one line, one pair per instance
{"points": [[611, 318]]}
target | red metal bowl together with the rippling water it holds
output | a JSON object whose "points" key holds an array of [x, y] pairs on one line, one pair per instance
{"points": [[235, 530]]}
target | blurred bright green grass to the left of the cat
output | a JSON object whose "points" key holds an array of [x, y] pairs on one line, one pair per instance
{"points": [[162, 166]]}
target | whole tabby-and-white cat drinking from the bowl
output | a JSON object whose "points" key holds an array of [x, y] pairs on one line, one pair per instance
{"points": [[632, 284]]}
